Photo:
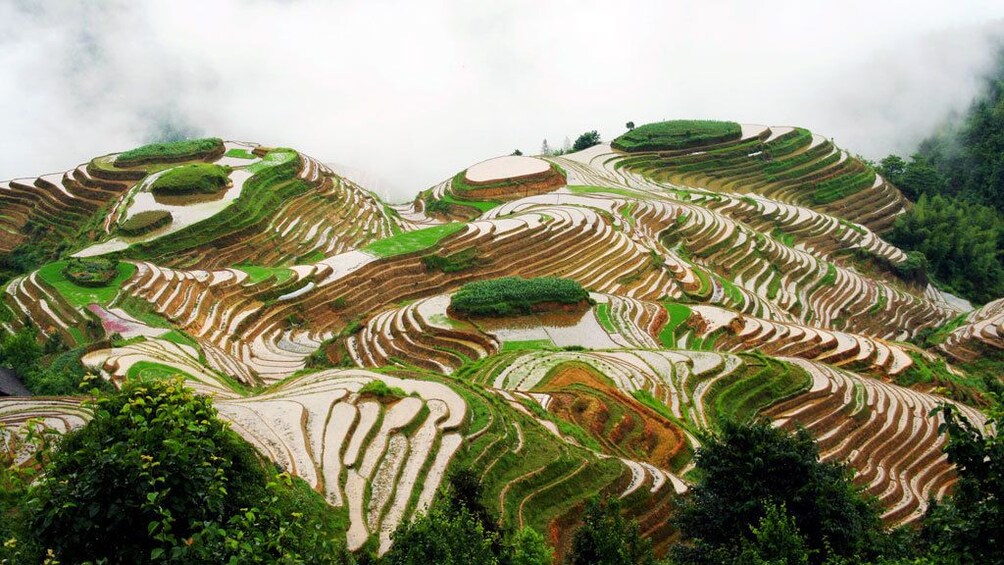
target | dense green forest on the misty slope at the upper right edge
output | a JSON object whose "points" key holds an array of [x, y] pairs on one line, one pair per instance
{"points": [[957, 179]]}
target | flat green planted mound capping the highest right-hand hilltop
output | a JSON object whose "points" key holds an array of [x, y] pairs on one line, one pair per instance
{"points": [[678, 135]]}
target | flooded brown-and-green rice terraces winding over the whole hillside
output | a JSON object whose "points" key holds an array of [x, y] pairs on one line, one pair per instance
{"points": [[725, 272]]}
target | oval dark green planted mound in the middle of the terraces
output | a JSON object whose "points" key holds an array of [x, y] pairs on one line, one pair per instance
{"points": [[511, 297]]}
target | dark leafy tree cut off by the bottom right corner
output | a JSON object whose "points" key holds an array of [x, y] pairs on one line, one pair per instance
{"points": [[969, 526]]}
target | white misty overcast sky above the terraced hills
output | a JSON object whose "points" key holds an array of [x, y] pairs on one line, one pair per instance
{"points": [[412, 93]]}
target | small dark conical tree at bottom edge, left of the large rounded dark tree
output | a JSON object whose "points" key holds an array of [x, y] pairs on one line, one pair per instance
{"points": [[607, 538]]}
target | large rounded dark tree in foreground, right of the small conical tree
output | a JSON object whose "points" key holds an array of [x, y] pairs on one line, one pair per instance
{"points": [[747, 468]]}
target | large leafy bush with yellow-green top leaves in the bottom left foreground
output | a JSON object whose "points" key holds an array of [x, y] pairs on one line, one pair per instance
{"points": [[155, 477]]}
